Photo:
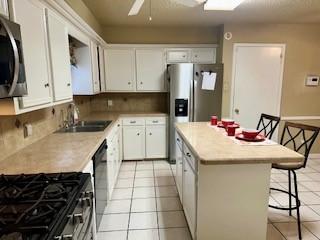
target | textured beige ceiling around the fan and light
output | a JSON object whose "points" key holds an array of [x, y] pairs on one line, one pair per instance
{"points": [[170, 13]]}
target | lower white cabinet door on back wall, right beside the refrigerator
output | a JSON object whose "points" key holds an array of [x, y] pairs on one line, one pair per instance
{"points": [[156, 141]]}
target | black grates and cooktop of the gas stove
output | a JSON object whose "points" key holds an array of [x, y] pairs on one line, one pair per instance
{"points": [[31, 205]]}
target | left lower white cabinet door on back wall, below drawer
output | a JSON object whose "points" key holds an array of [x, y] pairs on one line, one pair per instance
{"points": [[133, 142]]}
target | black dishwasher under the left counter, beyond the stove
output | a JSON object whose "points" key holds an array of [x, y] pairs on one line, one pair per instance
{"points": [[100, 181]]}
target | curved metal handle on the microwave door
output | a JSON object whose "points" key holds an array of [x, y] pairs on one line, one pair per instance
{"points": [[16, 57]]}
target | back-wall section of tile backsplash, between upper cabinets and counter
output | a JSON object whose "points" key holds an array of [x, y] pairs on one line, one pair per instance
{"points": [[131, 102]]}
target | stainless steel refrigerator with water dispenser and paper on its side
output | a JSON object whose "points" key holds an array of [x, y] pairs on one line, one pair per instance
{"points": [[190, 101]]}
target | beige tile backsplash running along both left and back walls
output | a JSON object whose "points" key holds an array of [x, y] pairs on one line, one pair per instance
{"points": [[45, 122]]}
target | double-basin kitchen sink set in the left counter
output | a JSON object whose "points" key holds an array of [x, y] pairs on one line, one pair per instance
{"points": [[86, 126]]}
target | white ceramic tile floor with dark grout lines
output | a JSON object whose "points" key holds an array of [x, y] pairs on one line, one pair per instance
{"points": [[145, 205]]}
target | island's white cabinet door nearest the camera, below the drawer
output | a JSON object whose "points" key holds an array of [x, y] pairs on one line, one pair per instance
{"points": [[189, 196]]}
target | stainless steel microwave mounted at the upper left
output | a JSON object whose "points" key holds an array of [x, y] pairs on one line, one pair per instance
{"points": [[12, 72]]}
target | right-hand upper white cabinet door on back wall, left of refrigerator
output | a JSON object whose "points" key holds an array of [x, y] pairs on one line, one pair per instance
{"points": [[150, 70]]}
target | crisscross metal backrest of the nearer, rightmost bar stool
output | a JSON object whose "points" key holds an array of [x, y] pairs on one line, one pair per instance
{"points": [[299, 137]]}
